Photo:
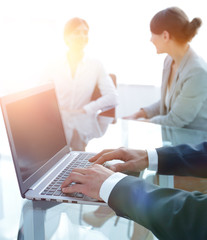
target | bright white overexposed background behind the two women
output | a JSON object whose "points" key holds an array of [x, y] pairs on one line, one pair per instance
{"points": [[32, 36]]}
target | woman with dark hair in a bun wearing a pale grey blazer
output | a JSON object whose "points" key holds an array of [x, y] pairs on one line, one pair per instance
{"points": [[183, 100]]}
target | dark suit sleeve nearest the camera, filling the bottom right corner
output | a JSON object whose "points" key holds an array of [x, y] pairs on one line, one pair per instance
{"points": [[168, 213]]}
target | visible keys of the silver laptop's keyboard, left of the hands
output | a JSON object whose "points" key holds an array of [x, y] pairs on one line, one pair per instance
{"points": [[54, 188]]}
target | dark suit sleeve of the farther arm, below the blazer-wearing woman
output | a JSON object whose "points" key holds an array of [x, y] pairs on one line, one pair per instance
{"points": [[183, 160]]}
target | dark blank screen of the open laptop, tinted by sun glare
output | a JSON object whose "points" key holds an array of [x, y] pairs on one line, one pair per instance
{"points": [[36, 130]]}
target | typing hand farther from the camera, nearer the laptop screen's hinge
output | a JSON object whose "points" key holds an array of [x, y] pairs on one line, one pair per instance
{"points": [[135, 160]]}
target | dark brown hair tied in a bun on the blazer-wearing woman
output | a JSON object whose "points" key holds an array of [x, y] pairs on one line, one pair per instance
{"points": [[176, 22]]}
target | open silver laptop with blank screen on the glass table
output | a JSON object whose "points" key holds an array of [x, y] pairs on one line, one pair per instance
{"points": [[40, 153]]}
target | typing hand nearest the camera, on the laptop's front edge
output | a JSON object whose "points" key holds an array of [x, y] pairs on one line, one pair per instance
{"points": [[88, 180]]}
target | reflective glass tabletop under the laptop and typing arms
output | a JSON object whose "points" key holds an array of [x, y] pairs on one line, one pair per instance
{"points": [[65, 221]]}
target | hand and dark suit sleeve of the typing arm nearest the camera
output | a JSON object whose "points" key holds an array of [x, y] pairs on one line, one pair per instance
{"points": [[168, 213]]}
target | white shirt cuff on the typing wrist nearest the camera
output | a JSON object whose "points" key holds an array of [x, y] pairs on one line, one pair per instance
{"points": [[109, 184]]}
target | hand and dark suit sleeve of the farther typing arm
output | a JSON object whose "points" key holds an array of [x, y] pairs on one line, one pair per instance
{"points": [[183, 160]]}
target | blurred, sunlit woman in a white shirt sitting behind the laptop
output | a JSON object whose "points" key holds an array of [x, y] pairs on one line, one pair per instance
{"points": [[75, 77]]}
